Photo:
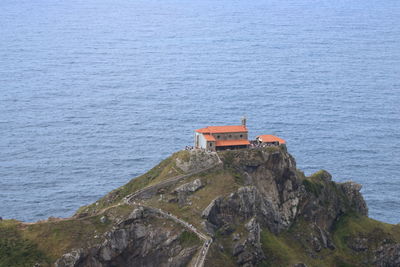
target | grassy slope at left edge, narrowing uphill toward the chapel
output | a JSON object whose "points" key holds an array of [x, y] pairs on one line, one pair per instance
{"points": [[43, 242]]}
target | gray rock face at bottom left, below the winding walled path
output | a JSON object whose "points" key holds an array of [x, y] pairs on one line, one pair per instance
{"points": [[134, 242]]}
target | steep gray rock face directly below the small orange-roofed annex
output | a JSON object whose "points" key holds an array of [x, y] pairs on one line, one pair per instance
{"points": [[272, 195]]}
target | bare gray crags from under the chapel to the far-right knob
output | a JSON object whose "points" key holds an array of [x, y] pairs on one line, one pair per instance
{"points": [[274, 196]]}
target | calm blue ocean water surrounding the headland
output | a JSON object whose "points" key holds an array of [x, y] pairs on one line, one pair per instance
{"points": [[93, 93]]}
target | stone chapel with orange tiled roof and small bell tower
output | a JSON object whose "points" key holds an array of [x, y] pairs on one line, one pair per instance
{"points": [[216, 138]]}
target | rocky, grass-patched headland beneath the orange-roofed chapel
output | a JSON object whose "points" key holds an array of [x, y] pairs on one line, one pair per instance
{"points": [[249, 207]]}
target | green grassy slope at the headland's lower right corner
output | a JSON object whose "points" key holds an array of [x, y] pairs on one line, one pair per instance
{"points": [[289, 247]]}
